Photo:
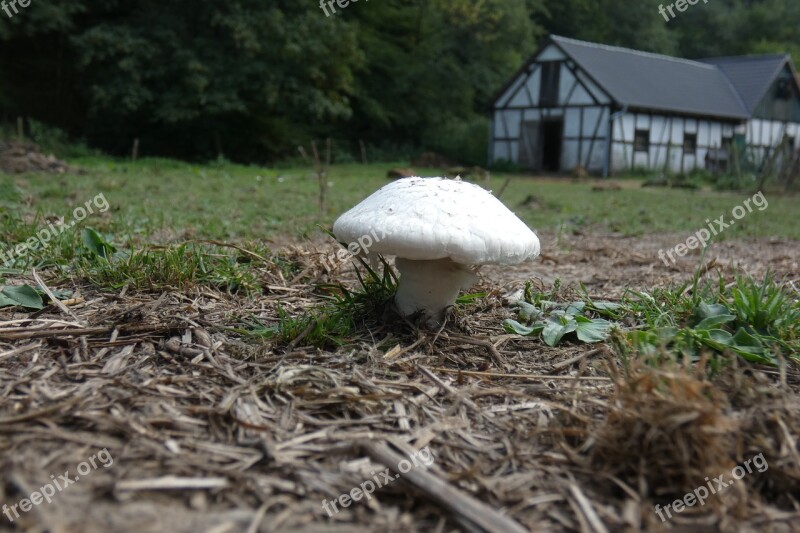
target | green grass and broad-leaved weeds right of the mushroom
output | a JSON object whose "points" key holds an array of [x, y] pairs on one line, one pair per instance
{"points": [[757, 320]]}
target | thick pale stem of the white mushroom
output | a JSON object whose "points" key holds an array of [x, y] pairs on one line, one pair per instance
{"points": [[430, 287]]}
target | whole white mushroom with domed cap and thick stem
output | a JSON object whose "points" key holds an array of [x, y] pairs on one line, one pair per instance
{"points": [[438, 229]]}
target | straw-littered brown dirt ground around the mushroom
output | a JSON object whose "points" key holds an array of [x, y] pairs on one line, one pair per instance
{"points": [[204, 430]]}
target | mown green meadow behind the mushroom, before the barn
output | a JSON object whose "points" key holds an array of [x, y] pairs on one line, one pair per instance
{"points": [[157, 201]]}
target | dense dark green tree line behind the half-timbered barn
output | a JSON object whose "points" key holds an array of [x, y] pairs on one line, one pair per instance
{"points": [[253, 79]]}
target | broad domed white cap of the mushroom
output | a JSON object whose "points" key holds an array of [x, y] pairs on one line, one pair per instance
{"points": [[437, 218]]}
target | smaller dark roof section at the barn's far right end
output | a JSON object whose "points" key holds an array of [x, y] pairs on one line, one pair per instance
{"points": [[750, 75]]}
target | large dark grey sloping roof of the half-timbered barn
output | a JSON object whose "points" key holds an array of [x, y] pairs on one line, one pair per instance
{"points": [[652, 81]]}
